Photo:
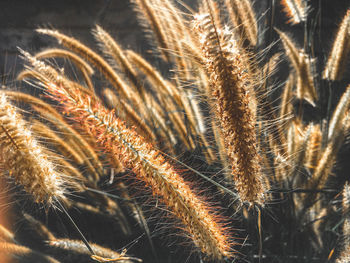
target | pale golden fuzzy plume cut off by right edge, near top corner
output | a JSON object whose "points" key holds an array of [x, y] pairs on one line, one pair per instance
{"points": [[338, 57]]}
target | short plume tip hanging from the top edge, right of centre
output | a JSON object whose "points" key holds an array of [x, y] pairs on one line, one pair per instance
{"points": [[296, 10]]}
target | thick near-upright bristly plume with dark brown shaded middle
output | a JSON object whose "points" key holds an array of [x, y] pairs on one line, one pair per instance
{"points": [[230, 84]]}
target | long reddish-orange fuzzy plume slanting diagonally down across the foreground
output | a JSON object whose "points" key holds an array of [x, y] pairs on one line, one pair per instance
{"points": [[149, 166]]}
